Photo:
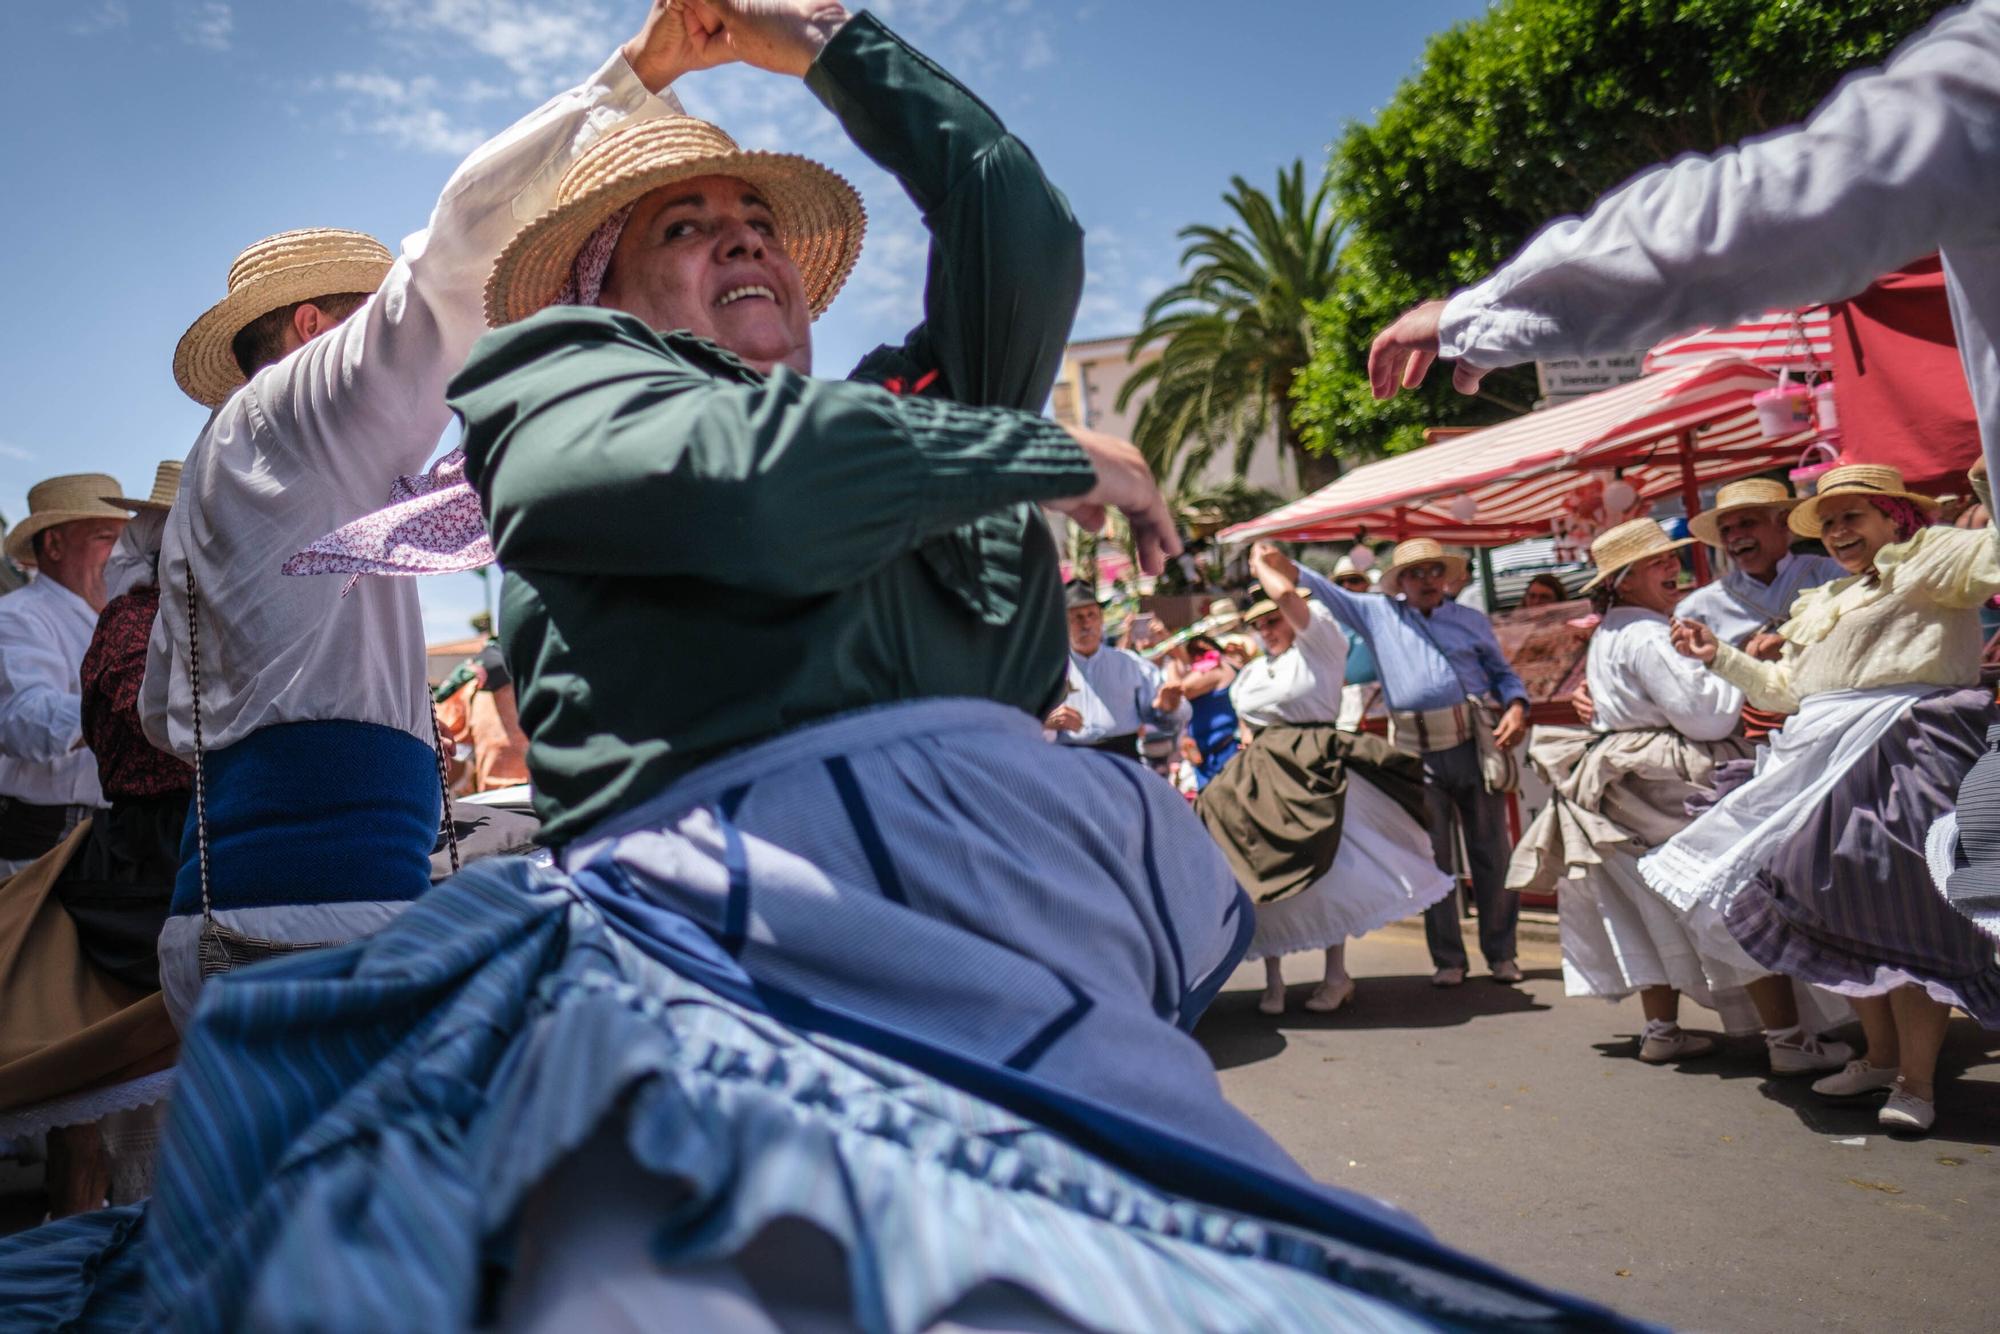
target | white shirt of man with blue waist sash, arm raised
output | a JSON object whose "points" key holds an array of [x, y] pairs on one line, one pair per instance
{"points": [[317, 439]]}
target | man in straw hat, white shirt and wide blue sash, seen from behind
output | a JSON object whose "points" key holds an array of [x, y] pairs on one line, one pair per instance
{"points": [[313, 699]]}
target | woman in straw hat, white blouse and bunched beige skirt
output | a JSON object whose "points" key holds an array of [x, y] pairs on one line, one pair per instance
{"points": [[1661, 729]]}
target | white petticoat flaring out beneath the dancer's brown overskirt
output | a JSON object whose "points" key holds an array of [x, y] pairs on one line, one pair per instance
{"points": [[1381, 875]]}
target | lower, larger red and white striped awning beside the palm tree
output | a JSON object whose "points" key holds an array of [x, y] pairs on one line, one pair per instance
{"points": [[1519, 473]]}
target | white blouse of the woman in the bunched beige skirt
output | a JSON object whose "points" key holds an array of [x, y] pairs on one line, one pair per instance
{"points": [[1639, 681]]}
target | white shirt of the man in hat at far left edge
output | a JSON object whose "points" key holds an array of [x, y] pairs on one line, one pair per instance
{"points": [[45, 633]]}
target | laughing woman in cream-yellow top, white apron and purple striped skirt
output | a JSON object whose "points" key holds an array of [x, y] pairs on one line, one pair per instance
{"points": [[1817, 865]]}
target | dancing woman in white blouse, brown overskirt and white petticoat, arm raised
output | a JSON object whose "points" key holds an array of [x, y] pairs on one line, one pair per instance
{"points": [[1325, 829]]}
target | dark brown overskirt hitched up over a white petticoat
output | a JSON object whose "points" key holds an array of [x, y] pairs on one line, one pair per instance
{"points": [[1277, 807]]}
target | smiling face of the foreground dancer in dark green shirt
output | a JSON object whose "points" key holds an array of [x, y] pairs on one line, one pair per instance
{"points": [[703, 255]]}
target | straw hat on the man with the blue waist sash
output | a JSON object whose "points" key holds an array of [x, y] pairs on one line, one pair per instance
{"points": [[271, 275]]}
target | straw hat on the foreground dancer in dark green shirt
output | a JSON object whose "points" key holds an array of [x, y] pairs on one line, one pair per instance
{"points": [[819, 215]]}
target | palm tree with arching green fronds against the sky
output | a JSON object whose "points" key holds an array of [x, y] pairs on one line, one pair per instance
{"points": [[1237, 333]]}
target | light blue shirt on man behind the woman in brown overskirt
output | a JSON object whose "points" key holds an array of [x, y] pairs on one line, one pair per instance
{"points": [[1423, 661]]}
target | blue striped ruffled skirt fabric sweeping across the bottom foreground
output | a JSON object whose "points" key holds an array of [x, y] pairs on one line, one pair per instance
{"points": [[357, 1131]]}
